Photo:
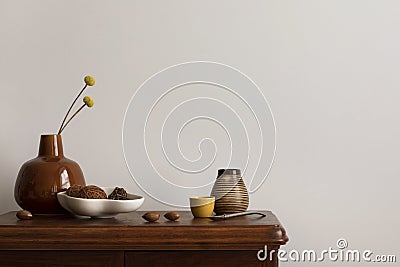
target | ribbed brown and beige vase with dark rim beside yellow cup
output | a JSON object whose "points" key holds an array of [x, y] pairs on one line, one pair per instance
{"points": [[230, 192]]}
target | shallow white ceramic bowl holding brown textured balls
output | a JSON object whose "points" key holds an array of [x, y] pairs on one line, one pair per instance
{"points": [[99, 208]]}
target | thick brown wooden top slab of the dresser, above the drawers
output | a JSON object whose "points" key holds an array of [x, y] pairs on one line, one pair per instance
{"points": [[129, 231]]}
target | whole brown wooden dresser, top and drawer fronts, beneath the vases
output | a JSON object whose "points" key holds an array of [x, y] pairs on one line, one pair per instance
{"points": [[128, 240]]}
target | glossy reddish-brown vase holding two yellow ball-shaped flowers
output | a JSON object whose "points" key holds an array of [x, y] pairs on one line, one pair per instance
{"points": [[40, 179]]}
